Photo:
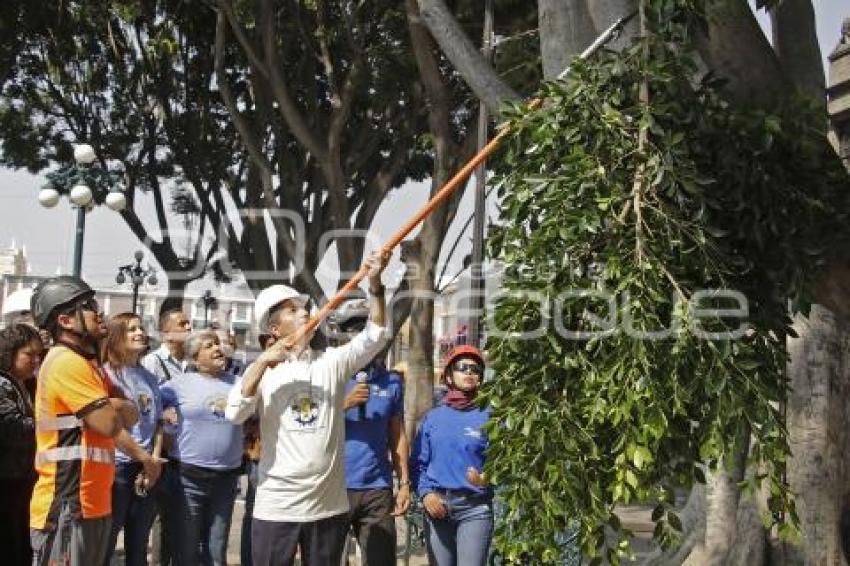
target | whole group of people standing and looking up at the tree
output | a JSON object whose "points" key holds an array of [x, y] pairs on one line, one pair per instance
{"points": [[100, 436]]}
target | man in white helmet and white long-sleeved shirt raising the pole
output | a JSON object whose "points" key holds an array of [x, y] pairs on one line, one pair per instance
{"points": [[298, 395]]}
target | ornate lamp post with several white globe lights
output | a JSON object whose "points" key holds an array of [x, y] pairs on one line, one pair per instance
{"points": [[85, 185]]}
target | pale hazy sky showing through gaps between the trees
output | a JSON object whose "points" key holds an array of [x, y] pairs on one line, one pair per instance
{"points": [[48, 233]]}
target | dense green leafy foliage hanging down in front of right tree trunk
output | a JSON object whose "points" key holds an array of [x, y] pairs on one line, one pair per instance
{"points": [[633, 385]]}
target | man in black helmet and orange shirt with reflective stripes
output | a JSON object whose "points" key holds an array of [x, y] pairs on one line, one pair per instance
{"points": [[76, 419]]}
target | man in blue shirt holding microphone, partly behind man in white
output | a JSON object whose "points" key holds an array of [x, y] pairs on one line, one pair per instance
{"points": [[374, 434]]}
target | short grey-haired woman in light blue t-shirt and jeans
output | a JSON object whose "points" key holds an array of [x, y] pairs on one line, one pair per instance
{"points": [[207, 453]]}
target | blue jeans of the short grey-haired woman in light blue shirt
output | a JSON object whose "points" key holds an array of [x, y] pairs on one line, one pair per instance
{"points": [[203, 507]]}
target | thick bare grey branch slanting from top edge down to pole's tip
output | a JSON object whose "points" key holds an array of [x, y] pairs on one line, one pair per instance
{"points": [[475, 69]]}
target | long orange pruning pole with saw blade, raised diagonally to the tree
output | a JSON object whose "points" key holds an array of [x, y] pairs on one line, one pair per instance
{"points": [[451, 186]]}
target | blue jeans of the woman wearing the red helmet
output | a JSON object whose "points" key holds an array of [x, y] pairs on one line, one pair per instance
{"points": [[463, 537]]}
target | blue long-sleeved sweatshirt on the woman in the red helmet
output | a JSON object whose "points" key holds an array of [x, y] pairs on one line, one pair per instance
{"points": [[448, 442]]}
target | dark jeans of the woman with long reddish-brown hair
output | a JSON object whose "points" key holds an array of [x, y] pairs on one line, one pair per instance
{"points": [[132, 513]]}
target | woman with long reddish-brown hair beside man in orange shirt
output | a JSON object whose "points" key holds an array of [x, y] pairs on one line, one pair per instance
{"points": [[137, 467]]}
